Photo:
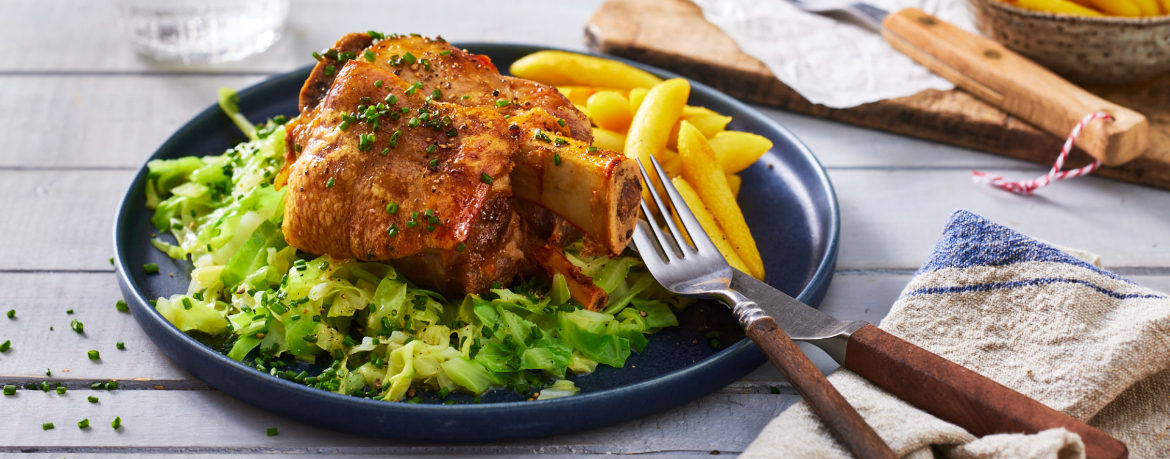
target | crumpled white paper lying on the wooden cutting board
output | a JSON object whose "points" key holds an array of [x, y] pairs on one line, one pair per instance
{"points": [[829, 61]]}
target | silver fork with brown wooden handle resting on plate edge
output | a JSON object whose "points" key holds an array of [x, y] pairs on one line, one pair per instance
{"points": [[700, 271]]}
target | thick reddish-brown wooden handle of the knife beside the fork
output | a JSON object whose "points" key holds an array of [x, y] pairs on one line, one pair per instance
{"points": [[961, 396]]}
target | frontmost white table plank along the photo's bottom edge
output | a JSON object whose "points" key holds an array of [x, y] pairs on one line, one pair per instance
{"points": [[190, 424]]}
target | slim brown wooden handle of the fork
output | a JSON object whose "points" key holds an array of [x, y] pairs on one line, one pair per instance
{"points": [[822, 396]]}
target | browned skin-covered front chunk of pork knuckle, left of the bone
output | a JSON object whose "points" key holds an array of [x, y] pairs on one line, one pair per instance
{"points": [[437, 195]]}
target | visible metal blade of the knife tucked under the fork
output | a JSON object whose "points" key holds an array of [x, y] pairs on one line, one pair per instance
{"points": [[801, 321]]}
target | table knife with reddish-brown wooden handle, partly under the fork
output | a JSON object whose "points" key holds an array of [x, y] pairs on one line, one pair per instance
{"points": [[923, 379]]}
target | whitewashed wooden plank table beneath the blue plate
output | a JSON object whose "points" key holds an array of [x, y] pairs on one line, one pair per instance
{"points": [[80, 113]]}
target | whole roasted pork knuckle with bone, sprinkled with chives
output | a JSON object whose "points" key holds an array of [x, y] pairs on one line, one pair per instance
{"points": [[415, 152]]}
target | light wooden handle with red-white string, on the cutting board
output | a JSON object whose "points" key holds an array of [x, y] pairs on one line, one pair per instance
{"points": [[1017, 86]]}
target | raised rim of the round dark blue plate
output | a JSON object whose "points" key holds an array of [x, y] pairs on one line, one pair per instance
{"points": [[735, 361]]}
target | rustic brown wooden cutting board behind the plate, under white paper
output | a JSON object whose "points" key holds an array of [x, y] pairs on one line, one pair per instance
{"points": [[673, 35]]}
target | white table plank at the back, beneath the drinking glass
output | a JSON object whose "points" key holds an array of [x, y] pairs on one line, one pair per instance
{"points": [[43, 29]]}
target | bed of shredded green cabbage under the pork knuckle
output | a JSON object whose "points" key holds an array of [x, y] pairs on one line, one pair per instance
{"points": [[380, 334]]}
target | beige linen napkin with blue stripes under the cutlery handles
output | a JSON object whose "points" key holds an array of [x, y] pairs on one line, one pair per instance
{"points": [[1031, 317]]}
